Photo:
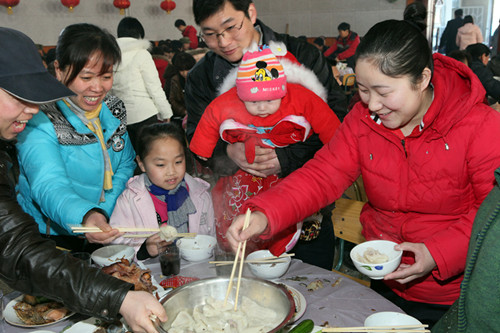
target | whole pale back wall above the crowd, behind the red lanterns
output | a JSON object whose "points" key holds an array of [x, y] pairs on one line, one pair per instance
{"points": [[42, 20]]}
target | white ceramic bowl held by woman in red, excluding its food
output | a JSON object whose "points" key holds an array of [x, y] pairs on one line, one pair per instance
{"points": [[377, 271]]}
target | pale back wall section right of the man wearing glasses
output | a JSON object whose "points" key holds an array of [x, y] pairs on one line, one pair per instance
{"points": [[321, 17]]}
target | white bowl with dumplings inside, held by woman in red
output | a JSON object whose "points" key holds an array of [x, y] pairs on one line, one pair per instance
{"points": [[376, 258]]}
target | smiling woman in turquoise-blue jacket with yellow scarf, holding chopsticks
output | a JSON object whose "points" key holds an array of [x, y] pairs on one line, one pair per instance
{"points": [[76, 156]]}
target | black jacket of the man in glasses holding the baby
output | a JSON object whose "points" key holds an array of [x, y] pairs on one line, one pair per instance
{"points": [[209, 73]]}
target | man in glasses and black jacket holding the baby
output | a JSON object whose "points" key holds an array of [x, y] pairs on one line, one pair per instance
{"points": [[228, 28]]}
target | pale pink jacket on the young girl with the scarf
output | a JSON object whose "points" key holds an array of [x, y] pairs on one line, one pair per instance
{"points": [[135, 208]]}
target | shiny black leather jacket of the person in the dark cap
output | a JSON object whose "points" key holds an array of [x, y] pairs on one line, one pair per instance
{"points": [[33, 265]]}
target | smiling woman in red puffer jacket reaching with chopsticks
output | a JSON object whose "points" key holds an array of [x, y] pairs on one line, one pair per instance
{"points": [[427, 148]]}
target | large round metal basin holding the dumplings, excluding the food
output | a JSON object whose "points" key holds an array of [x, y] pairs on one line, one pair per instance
{"points": [[264, 292]]}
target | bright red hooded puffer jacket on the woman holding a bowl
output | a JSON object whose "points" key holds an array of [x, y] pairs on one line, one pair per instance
{"points": [[425, 189]]}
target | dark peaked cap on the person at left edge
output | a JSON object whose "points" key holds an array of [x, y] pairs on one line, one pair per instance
{"points": [[22, 73]]}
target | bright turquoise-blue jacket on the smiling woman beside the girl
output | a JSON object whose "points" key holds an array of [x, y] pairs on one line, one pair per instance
{"points": [[62, 165]]}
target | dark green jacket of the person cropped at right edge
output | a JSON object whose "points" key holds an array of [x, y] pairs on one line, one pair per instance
{"points": [[478, 308]]}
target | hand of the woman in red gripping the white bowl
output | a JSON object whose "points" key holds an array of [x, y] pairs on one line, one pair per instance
{"points": [[424, 263]]}
